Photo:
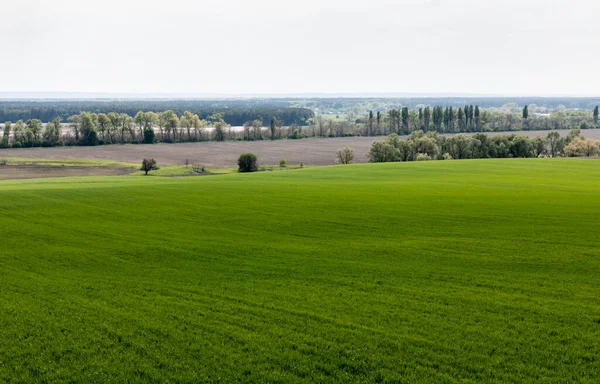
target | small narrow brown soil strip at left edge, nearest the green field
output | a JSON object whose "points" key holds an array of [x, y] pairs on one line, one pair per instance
{"points": [[35, 171]]}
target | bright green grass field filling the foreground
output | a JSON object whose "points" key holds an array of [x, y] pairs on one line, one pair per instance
{"points": [[449, 271]]}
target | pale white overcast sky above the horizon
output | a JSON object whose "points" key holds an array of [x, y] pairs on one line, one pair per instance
{"points": [[534, 47]]}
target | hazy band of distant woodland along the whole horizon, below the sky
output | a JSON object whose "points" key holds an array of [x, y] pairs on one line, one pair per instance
{"points": [[287, 110]]}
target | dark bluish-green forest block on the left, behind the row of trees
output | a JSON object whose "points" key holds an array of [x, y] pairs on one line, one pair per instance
{"points": [[234, 112]]}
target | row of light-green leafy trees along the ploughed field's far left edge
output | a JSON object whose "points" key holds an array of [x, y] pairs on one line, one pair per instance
{"points": [[145, 127]]}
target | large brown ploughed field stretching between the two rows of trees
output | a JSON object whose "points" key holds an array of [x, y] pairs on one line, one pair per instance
{"points": [[225, 154]]}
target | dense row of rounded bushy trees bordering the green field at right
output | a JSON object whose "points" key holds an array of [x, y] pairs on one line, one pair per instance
{"points": [[420, 145]]}
